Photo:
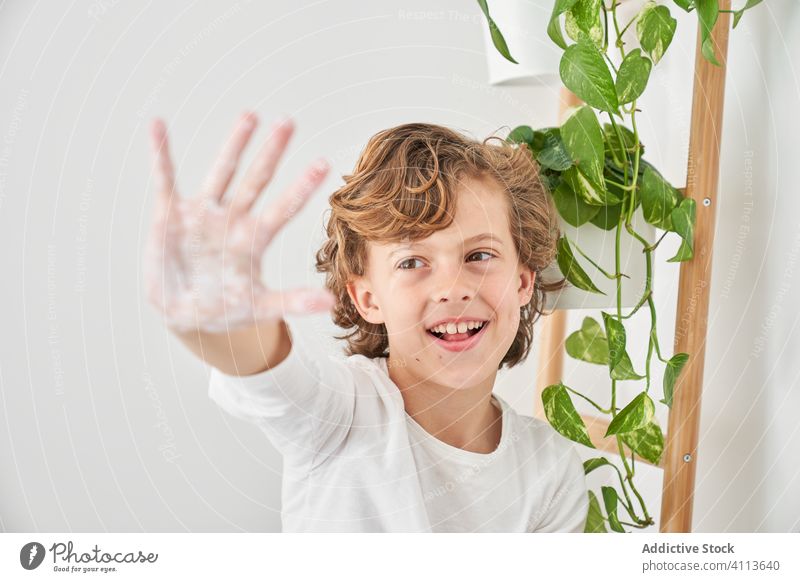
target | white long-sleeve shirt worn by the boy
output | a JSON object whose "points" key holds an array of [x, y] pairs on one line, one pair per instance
{"points": [[355, 461]]}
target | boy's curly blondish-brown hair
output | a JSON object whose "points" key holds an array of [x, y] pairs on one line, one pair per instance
{"points": [[404, 188]]}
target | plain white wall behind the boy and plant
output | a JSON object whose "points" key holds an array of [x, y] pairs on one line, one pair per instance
{"points": [[106, 423]]}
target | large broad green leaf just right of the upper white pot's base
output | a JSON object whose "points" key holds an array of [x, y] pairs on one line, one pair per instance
{"points": [[585, 73]]}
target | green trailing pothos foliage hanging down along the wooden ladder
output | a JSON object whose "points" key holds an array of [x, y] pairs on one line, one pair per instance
{"points": [[597, 177]]}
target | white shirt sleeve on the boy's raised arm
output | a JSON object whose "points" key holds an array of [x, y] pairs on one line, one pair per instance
{"points": [[304, 404]]}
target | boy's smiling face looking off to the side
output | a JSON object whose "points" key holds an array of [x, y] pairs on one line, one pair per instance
{"points": [[468, 271]]}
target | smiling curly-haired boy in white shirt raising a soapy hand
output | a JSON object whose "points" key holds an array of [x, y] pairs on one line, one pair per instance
{"points": [[434, 248]]}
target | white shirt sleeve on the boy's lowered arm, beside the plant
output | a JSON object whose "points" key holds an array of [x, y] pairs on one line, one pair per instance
{"points": [[569, 506]]}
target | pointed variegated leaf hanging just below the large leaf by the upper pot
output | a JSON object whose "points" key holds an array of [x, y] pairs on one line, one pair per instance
{"points": [[583, 140]]}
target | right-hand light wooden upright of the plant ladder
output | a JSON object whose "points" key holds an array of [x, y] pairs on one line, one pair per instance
{"points": [[680, 455]]}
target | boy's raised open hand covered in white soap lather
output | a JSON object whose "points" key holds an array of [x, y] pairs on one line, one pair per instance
{"points": [[202, 265]]}
